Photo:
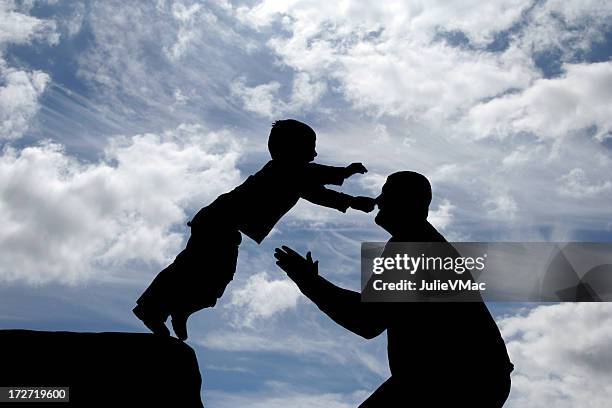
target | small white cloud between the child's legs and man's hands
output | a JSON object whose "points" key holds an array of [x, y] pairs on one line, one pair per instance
{"points": [[262, 298]]}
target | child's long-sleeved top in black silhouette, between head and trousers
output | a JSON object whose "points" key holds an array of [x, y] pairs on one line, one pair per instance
{"points": [[255, 206]]}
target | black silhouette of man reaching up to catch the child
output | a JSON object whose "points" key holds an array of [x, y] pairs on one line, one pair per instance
{"points": [[440, 354]]}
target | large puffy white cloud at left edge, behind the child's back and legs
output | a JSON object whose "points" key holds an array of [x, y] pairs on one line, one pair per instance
{"points": [[68, 221]]}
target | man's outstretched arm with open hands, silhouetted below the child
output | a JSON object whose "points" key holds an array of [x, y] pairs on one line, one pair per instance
{"points": [[342, 305]]}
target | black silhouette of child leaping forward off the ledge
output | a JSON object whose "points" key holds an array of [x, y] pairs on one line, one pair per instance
{"points": [[199, 274]]}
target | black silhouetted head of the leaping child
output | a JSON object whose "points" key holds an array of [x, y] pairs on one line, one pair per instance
{"points": [[291, 140]]}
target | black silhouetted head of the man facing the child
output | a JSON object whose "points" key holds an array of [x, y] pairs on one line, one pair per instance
{"points": [[404, 201]]}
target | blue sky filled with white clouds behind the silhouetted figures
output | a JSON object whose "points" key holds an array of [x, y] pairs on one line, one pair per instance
{"points": [[118, 120]]}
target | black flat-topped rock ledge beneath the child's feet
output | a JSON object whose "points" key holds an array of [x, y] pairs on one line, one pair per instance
{"points": [[103, 369]]}
